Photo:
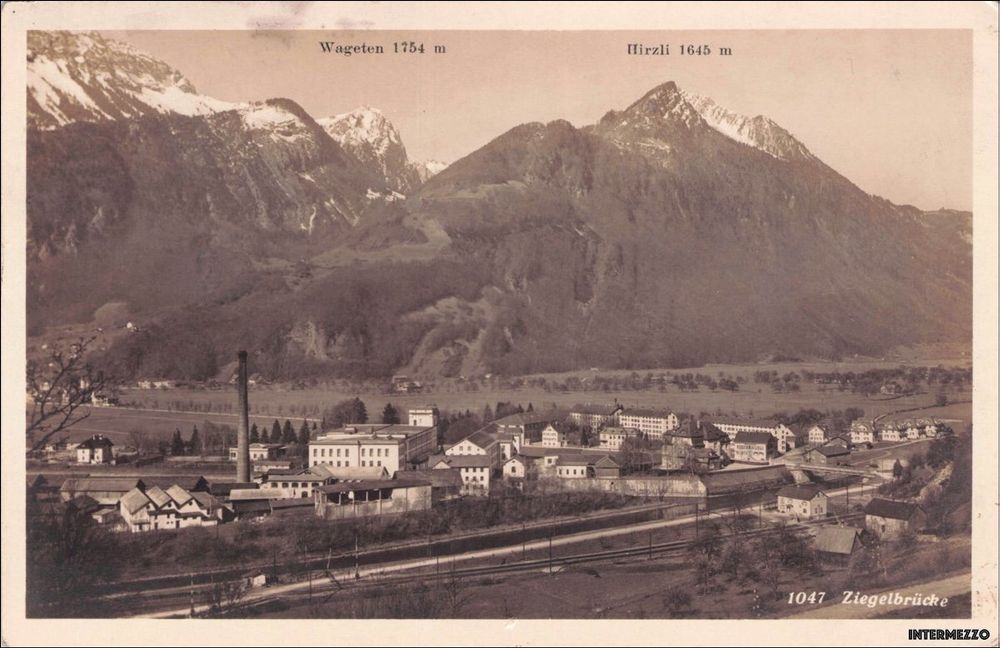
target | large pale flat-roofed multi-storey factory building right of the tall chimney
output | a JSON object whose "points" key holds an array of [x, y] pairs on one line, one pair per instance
{"points": [[393, 447]]}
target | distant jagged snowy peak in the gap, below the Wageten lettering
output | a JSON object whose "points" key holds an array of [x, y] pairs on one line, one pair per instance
{"points": [[372, 138]]}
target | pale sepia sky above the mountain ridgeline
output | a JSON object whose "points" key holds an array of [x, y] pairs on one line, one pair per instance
{"points": [[891, 110]]}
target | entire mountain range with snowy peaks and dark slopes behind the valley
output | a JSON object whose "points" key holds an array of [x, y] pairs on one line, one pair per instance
{"points": [[671, 233]]}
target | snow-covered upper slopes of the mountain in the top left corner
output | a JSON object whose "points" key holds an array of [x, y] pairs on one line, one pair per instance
{"points": [[76, 77]]}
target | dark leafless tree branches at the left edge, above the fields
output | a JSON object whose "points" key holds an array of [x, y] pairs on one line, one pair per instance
{"points": [[58, 387]]}
